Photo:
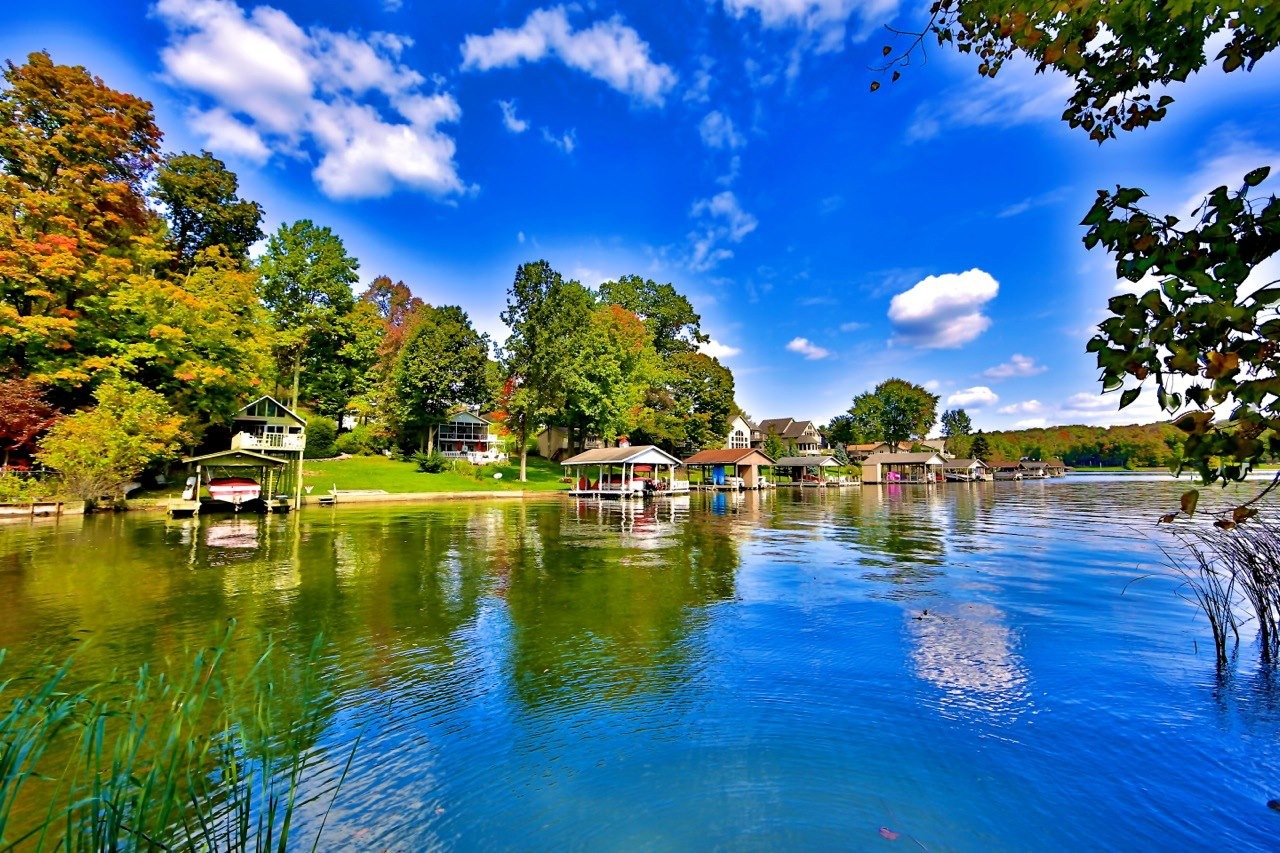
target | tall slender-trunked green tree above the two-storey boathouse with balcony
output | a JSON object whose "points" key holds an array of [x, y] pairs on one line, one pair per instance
{"points": [[307, 285]]}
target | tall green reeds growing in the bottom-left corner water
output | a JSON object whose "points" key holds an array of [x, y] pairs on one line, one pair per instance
{"points": [[205, 759]]}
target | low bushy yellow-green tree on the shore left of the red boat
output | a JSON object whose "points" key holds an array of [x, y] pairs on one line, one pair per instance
{"points": [[99, 450]]}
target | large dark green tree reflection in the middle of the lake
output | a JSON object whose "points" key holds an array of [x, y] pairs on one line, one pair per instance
{"points": [[596, 618]]}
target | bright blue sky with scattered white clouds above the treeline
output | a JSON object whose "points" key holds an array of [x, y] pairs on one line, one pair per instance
{"points": [[830, 238]]}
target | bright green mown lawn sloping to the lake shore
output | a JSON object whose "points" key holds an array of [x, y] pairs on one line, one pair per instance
{"points": [[390, 476]]}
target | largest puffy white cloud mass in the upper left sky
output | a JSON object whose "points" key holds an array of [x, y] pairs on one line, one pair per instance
{"points": [[268, 86]]}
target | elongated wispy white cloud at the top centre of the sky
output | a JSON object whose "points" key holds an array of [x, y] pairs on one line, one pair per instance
{"points": [[609, 51]]}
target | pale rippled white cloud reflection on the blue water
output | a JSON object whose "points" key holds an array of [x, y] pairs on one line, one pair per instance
{"points": [[973, 659]]}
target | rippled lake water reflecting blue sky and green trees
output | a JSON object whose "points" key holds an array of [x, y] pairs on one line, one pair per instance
{"points": [[968, 667]]}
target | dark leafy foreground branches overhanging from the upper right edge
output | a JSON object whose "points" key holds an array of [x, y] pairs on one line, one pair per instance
{"points": [[1201, 332]]}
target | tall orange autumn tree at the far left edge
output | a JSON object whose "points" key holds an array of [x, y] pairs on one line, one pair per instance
{"points": [[74, 158]]}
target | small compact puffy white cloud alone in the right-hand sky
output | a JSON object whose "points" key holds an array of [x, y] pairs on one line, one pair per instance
{"points": [[943, 312]]}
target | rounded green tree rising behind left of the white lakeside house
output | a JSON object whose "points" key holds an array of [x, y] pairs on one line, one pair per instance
{"points": [[442, 367]]}
